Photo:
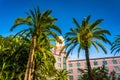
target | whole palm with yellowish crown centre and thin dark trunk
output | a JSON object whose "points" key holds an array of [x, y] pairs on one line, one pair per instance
{"points": [[84, 36]]}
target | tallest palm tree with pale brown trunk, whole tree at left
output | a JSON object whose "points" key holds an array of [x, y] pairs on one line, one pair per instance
{"points": [[41, 25]]}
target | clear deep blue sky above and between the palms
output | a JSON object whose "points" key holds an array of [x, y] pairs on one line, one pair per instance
{"points": [[64, 11]]}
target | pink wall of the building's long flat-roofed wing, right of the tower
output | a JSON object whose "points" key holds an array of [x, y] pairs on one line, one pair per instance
{"points": [[110, 65]]}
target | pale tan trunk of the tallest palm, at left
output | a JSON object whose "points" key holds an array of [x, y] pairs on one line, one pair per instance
{"points": [[30, 63]]}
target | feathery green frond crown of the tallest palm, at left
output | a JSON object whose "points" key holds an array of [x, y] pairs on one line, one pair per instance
{"points": [[40, 23]]}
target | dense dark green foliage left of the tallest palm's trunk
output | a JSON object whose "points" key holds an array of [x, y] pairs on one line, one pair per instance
{"points": [[13, 62]]}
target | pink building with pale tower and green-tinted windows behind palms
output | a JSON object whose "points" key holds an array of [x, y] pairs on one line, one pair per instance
{"points": [[111, 63]]}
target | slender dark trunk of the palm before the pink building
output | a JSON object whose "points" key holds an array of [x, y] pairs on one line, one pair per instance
{"points": [[88, 64]]}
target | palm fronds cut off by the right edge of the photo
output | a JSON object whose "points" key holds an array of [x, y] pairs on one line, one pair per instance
{"points": [[116, 45]]}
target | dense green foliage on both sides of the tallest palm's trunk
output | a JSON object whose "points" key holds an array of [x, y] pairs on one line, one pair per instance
{"points": [[14, 55]]}
